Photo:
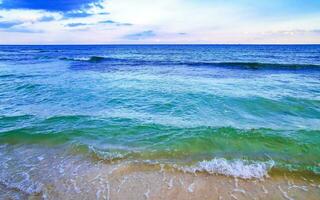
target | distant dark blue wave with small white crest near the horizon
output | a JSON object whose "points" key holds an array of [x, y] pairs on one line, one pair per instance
{"points": [[239, 65]]}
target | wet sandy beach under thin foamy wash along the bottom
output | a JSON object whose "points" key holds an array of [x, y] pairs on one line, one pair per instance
{"points": [[72, 177]]}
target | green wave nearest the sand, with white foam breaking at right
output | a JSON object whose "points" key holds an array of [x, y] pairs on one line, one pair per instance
{"points": [[120, 138]]}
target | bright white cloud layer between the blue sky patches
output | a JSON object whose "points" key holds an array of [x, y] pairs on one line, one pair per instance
{"points": [[203, 21]]}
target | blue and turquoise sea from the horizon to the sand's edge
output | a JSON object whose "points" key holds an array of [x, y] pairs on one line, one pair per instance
{"points": [[198, 107]]}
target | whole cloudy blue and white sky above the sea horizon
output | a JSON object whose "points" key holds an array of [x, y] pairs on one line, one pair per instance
{"points": [[159, 22]]}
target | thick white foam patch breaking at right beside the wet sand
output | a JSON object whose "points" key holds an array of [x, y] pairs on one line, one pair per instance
{"points": [[236, 168]]}
